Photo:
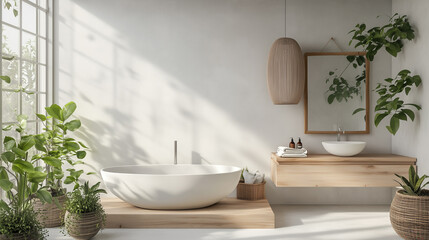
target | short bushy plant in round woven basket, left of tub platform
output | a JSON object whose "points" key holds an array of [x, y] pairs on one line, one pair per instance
{"points": [[85, 215]]}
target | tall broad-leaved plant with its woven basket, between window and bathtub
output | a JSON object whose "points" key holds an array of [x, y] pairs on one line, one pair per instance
{"points": [[56, 148]]}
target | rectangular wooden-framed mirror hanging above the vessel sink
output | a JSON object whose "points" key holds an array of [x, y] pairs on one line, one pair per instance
{"points": [[336, 92]]}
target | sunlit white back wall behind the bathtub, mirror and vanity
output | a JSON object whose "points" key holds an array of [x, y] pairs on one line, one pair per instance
{"points": [[145, 73]]}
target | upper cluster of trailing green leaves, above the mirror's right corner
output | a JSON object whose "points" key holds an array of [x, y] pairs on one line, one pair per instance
{"points": [[389, 36]]}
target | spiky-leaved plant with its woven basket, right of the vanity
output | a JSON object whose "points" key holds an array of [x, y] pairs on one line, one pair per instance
{"points": [[409, 211]]}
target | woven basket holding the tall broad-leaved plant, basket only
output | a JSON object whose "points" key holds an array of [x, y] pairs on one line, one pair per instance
{"points": [[49, 213]]}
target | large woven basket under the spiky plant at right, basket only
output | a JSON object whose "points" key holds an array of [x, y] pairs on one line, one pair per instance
{"points": [[409, 215]]}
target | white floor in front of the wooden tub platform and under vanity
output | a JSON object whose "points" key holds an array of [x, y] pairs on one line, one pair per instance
{"points": [[292, 222]]}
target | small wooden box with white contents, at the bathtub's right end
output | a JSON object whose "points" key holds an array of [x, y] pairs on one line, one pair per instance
{"points": [[251, 185]]}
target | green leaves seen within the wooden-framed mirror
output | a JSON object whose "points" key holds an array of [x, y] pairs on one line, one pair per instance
{"points": [[340, 89]]}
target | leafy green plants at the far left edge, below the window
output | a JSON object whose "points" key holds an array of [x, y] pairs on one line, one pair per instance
{"points": [[21, 181]]}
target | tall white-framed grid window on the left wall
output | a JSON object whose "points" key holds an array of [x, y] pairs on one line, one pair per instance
{"points": [[25, 41]]}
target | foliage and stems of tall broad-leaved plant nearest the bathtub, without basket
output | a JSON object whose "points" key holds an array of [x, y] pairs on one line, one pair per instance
{"points": [[57, 147]]}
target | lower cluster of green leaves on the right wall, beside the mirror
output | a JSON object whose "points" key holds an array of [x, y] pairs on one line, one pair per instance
{"points": [[390, 104]]}
